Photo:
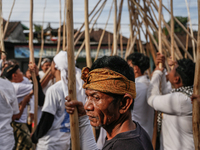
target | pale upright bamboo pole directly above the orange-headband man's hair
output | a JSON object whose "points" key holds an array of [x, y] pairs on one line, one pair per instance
{"points": [[115, 30]]}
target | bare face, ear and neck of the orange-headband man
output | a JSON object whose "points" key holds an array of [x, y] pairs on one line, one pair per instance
{"points": [[115, 118]]}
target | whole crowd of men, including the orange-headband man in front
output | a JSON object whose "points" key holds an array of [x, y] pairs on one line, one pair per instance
{"points": [[116, 96]]}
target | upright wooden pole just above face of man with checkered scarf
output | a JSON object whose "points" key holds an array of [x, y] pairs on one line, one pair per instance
{"points": [[172, 32]]}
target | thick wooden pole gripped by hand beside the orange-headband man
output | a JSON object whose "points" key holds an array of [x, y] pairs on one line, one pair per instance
{"points": [[74, 124]]}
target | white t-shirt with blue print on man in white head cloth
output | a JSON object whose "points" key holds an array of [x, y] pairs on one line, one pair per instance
{"points": [[58, 137]]}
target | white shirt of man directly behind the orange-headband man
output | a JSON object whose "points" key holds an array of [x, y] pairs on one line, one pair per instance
{"points": [[142, 112]]}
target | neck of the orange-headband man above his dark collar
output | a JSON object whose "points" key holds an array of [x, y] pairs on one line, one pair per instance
{"points": [[123, 124]]}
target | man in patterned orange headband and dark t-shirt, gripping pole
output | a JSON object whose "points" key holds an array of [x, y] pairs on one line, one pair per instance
{"points": [[110, 91]]}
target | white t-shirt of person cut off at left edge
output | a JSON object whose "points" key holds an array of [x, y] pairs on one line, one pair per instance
{"points": [[8, 107]]}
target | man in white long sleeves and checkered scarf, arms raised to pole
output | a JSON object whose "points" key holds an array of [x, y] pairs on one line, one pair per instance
{"points": [[176, 132]]}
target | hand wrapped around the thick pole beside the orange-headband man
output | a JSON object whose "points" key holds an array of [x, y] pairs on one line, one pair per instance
{"points": [[70, 107]]}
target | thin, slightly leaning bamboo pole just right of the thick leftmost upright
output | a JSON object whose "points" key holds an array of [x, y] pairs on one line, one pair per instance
{"points": [[42, 37]]}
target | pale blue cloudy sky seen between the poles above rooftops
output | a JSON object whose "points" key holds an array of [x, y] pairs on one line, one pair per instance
{"points": [[52, 15]]}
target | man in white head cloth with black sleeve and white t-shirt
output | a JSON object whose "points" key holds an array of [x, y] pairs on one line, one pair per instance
{"points": [[53, 130]]}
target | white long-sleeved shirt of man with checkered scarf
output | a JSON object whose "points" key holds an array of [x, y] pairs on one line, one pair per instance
{"points": [[176, 132]]}
